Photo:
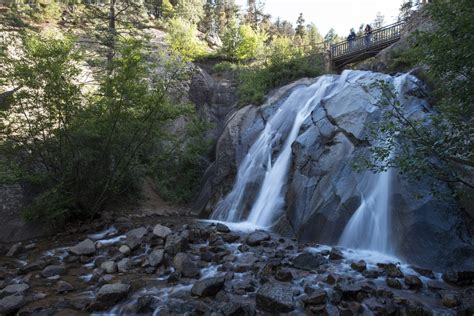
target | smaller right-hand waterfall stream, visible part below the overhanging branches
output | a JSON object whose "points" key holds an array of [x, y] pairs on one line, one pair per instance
{"points": [[370, 226]]}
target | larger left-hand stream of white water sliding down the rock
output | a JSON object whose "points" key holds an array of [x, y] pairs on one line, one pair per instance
{"points": [[281, 129]]}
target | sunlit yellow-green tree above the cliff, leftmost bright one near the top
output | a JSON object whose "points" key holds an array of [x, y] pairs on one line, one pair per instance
{"points": [[182, 39]]}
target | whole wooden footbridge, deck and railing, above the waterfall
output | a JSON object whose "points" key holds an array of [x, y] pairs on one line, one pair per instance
{"points": [[362, 47]]}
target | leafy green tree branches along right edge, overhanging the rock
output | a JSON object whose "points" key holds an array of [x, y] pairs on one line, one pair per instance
{"points": [[441, 146]]}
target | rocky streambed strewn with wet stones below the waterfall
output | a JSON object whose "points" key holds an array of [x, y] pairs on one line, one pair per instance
{"points": [[176, 266]]}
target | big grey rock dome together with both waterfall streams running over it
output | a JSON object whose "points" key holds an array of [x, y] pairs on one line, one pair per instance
{"points": [[287, 165]]}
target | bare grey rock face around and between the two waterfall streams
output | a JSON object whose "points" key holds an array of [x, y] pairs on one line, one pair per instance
{"points": [[323, 190]]}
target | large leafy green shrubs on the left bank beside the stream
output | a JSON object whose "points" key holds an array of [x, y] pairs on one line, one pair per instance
{"points": [[81, 151]]}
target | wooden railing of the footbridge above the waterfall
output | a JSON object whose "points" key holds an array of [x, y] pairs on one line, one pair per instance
{"points": [[360, 43]]}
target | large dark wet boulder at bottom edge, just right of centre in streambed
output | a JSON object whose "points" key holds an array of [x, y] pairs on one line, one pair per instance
{"points": [[275, 297]]}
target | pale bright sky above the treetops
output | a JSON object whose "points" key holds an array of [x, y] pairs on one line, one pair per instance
{"points": [[342, 15]]}
